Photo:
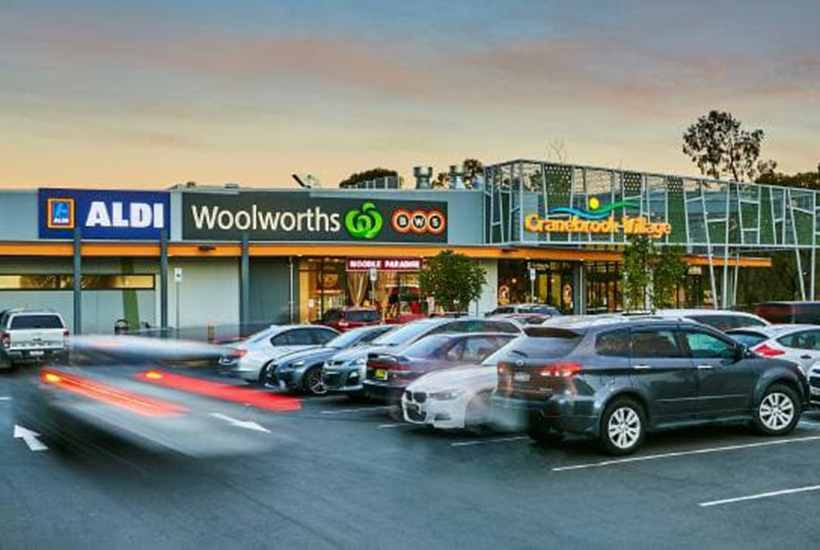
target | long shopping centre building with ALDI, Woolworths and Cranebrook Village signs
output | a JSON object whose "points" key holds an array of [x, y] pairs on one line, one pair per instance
{"points": [[553, 233]]}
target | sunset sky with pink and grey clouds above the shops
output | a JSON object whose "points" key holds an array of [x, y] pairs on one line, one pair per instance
{"points": [[148, 94]]}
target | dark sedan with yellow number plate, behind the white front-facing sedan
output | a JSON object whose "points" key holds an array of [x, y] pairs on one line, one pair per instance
{"points": [[388, 374]]}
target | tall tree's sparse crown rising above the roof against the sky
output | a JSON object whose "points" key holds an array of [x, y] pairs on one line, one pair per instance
{"points": [[720, 147]]}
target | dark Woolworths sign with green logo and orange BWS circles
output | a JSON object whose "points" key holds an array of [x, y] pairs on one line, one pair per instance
{"points": [[287, 217]]}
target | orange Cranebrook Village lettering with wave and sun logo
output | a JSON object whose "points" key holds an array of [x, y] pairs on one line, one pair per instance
{"points": [[596, 219]]}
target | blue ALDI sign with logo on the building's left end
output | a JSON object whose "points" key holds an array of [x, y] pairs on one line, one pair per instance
{"points": [[137, 215]]}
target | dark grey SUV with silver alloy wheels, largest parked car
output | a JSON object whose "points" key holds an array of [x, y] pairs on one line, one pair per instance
{"points": [[616, 380]]}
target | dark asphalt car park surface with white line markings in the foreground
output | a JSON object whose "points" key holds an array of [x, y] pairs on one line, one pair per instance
{"points": [[342, 474]]}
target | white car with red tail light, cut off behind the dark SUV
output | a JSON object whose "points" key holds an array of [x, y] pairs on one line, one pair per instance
{"points": [[798, 343]]}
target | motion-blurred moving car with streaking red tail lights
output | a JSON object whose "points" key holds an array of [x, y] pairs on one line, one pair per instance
{"points": [[107, 394]]}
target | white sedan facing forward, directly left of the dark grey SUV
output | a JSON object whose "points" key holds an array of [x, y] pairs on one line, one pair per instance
{"points": [[455, 398]]}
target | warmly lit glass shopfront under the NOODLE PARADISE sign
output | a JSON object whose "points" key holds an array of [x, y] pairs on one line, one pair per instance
{"points": [[328, 283]]}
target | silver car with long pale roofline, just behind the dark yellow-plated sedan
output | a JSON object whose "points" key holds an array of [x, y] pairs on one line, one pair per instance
{"points": [[345, 371]]}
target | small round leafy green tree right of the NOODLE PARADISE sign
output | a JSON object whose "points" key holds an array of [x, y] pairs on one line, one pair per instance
{"points": [[453, 280]]}
